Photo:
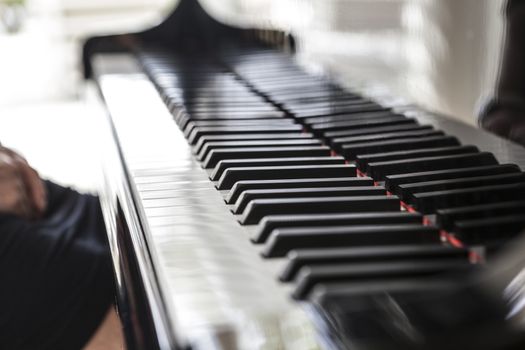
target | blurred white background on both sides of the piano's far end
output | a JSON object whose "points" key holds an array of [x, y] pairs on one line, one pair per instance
{"points": [[442, 54]]}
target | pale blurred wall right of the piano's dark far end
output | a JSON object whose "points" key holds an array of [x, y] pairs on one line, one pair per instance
{"points": [[442, 54]]}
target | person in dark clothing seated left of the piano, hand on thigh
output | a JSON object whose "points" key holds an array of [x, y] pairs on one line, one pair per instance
{"points": [[56, 277]]}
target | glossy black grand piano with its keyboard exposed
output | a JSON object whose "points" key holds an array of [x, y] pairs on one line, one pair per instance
{"points": [[251, 204]]}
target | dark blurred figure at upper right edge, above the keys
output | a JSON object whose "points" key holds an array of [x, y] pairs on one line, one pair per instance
{"points": [[504, 115]]}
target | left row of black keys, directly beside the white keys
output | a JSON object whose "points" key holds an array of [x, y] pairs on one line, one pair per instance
{"points": [[270, 181]]}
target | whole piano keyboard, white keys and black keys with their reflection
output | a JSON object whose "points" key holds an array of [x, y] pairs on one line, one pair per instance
{"points": [[290, 194]]}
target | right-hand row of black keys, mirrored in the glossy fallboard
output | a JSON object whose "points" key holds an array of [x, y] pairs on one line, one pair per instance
{"points": [[426, 168]]}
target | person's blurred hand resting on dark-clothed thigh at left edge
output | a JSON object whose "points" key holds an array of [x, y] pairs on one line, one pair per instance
{"points": [[22, 192]]}
